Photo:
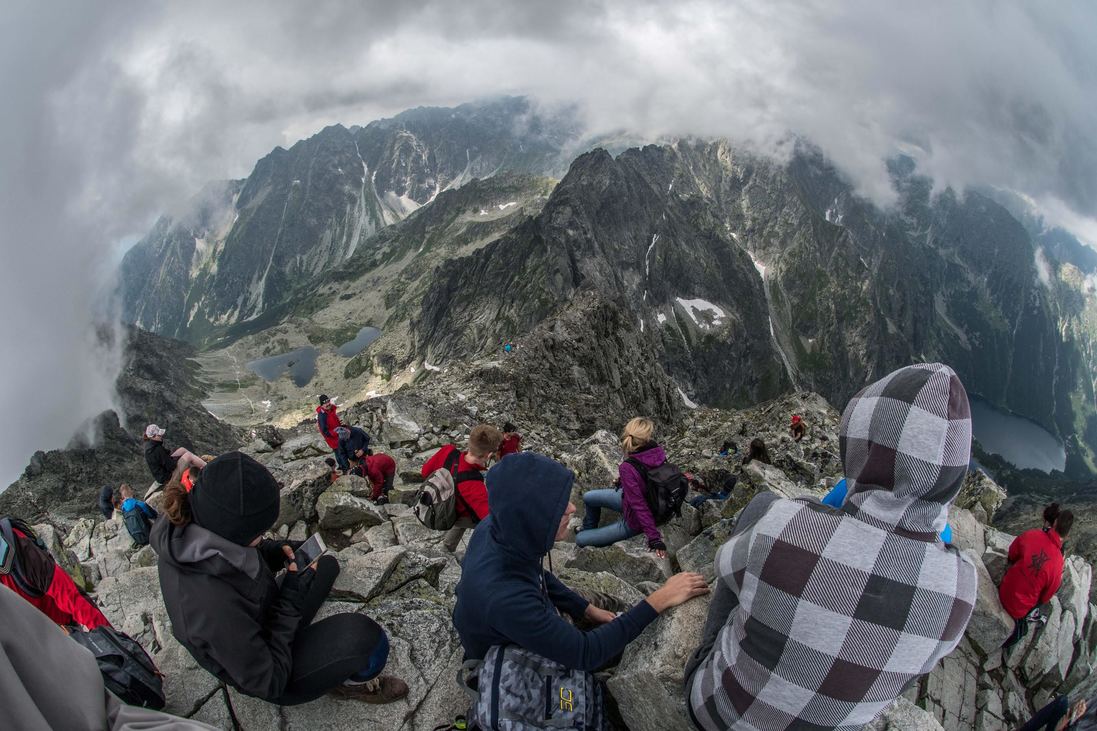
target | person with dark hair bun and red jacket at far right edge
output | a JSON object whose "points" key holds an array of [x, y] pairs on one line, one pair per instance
{"points": [[1035, 570]]}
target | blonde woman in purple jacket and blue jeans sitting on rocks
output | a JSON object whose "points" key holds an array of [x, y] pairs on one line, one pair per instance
{"points": [[629, 497]]}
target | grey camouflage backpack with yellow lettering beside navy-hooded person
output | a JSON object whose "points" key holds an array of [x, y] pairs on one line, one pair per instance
{"points": [[521, 691]]}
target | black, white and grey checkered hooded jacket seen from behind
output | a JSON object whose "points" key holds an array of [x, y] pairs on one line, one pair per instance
{"points": [[841, 611]]}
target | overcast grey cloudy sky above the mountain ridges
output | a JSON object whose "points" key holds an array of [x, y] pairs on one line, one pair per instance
{"points": [[114, 114]]}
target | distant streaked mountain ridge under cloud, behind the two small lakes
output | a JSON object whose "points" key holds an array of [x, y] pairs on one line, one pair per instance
{"points": [[244, 248]]}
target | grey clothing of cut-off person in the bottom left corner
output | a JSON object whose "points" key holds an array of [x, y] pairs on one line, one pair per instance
{"points": [[51, 682]]}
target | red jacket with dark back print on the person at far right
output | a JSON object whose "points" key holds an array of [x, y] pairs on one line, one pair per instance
{"points": [[1035, 572]]}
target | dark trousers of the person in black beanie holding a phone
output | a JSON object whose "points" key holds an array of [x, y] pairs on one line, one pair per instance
{"points": [[333, 650]]}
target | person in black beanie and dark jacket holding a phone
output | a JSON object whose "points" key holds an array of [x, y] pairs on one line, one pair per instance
{"points": [[231, 612]]}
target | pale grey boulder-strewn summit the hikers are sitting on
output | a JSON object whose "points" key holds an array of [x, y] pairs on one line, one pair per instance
{"points": [[399, 573]]}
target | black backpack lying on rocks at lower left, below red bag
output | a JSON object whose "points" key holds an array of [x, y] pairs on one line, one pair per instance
{"points": [[128, 670]]}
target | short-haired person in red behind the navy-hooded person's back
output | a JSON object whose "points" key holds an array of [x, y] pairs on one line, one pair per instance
{"points": [[468, 469]]}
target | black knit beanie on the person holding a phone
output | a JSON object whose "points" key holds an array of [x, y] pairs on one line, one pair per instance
{"points": [[235, 498]]}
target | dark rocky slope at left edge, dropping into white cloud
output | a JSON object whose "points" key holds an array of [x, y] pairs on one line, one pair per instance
{"points": [[159, 385]]}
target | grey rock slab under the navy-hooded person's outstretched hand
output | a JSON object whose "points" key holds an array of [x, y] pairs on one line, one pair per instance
{"points": [[649, 683]]}
